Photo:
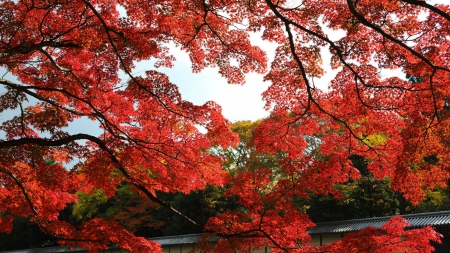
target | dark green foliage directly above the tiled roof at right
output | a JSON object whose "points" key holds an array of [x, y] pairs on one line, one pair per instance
{"points": [[369, 197]]}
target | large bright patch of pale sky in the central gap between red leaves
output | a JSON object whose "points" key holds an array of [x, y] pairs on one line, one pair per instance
{"points": [[238, 102]]}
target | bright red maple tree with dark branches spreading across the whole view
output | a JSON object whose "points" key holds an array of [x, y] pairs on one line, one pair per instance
{"points": [[68, 54]]}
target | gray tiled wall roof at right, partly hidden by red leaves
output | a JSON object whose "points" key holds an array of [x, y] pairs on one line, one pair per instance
{"points": [[435, 219]]}
